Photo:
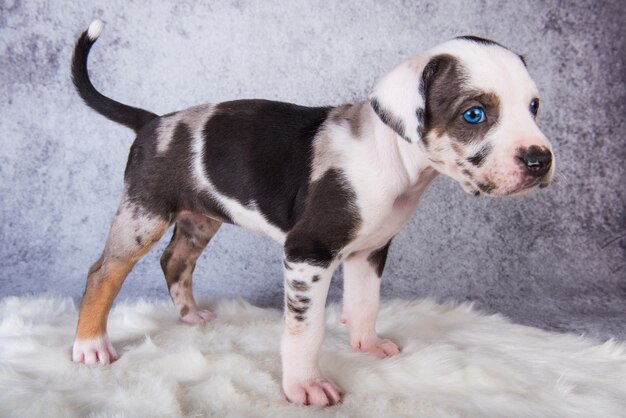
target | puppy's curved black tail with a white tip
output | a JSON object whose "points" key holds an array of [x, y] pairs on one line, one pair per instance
{"points": [[129, 116]]}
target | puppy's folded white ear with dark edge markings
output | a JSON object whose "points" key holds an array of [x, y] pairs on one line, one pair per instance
{"points": [[399, 98]]}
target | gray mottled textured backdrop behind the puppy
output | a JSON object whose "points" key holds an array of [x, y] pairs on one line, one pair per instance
{"points": [[555, 259]]}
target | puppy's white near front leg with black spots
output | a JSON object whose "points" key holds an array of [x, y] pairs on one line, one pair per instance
{"points": [[306, 288]]}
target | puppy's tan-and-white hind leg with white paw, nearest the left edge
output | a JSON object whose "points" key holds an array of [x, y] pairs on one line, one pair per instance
{"points": [[133, 232]]}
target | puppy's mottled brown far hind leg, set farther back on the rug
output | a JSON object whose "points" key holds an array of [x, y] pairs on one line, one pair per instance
{"points": [[191, 235]]}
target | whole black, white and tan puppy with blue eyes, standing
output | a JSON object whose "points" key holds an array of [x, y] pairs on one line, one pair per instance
{"points": [[332, 184]]}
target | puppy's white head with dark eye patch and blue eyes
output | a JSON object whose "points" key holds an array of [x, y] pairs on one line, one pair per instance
{"points": [[471, 106]]}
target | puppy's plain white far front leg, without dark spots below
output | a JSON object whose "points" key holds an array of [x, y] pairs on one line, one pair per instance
{"points": [[361, 298]]}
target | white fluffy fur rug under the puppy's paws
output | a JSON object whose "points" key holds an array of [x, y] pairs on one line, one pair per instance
{"points": [[454, 363]]}
